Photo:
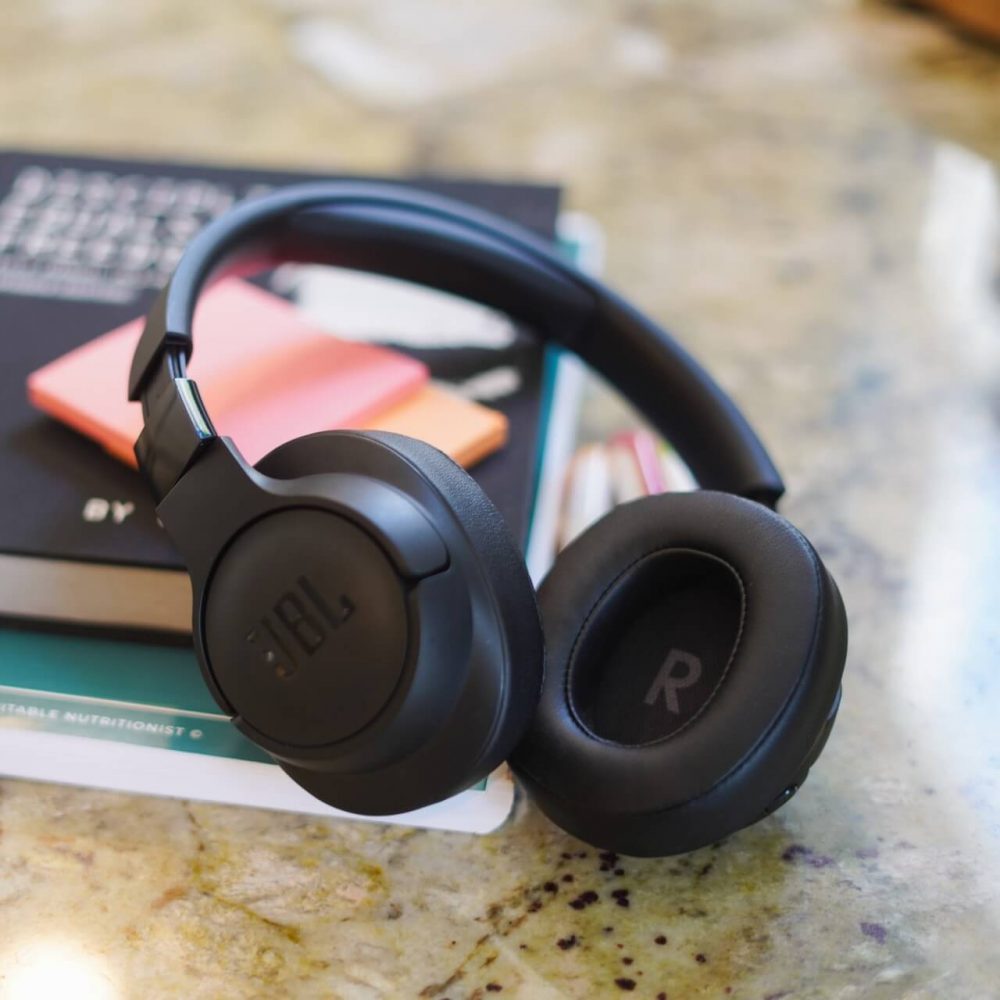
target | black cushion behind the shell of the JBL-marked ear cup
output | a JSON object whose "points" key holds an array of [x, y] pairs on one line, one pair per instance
{"points": [[498, 687]]}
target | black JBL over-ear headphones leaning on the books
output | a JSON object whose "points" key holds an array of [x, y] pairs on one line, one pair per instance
{"points": [[362, 612]]}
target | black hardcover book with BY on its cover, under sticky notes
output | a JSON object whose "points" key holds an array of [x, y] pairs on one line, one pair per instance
{"points": [[85, 244]]}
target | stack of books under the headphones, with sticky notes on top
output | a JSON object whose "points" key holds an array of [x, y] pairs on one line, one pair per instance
{"points": [[98, 682]]}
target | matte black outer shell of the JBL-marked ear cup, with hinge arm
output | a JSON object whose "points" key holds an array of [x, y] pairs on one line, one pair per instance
{"points": [[315, 598]]}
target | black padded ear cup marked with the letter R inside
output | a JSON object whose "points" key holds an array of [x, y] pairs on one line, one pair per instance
{"points": [[695, 645]]}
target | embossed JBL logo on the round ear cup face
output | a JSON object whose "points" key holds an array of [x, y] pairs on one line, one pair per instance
{"points": [[299, 622]]}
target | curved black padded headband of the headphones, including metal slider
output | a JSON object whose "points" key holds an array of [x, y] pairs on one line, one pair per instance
{"points": [[449, 246]]}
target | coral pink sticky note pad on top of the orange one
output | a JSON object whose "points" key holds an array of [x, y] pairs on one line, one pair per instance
{"points": [[265, 375]]}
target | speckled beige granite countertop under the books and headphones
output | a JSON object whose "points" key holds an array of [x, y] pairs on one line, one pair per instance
{"points": [[804, 191]]}
